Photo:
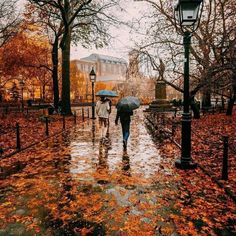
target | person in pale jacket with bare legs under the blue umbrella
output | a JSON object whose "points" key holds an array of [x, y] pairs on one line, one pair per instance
{"points": [[103, 112]]}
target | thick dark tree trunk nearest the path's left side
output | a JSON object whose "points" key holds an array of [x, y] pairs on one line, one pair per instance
{"points": [[66, 106]]}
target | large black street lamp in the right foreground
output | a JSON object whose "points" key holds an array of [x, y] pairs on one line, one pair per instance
{"points": [[188, 17]]}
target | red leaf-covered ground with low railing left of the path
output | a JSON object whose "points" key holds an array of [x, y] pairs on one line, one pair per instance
{"points": [[17, 136]]}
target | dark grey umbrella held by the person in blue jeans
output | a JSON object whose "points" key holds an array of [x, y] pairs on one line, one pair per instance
{"points": [[128, 104]]}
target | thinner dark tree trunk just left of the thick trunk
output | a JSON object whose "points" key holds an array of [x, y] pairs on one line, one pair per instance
{"points": [[55, 73]]}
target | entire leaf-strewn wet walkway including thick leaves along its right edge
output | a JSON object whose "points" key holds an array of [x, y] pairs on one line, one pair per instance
{"points": [[72, 184]]}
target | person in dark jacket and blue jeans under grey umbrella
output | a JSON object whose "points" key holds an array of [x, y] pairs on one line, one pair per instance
{"points": [[125, 119]]}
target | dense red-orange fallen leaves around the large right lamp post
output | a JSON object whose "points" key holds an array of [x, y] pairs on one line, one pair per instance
{"points": [[203, 208]]}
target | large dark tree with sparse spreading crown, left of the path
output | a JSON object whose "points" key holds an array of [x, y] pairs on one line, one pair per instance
{"points": [[81, 17]]}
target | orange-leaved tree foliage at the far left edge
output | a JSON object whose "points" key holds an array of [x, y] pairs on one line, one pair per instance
{"points": [[28, 56]]}
